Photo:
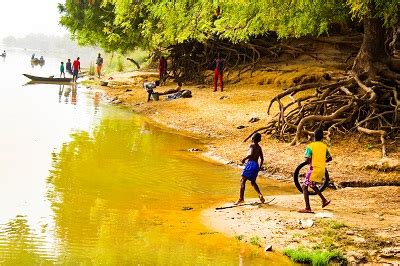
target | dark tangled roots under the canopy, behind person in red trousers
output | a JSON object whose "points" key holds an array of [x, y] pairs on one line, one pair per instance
{"points": [[191, 59]]}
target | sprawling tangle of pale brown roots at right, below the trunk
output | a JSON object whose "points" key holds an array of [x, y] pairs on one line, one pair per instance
{"points": [[352, 103]]}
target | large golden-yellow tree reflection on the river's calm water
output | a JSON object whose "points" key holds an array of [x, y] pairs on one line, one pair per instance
{"points": [[103, 197]]}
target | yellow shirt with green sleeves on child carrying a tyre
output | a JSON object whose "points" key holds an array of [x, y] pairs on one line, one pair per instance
{"points": [[318, 152]]}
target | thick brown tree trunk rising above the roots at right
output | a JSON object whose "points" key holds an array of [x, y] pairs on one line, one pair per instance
{"points": [[372, 50]]}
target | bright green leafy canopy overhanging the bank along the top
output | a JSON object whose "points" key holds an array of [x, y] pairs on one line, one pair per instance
{"points": [[124, 25]]}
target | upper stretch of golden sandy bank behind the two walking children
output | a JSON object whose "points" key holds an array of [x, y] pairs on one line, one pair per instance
{"points": [[214, 117]]}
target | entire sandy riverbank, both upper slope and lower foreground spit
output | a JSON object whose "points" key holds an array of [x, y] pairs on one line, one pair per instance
{"points": [[368, 217]]}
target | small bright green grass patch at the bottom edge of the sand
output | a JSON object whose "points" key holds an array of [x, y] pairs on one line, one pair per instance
{"points": [[316, 257]]}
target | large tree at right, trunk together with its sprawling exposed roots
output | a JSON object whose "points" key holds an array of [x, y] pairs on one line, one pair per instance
{"points": [[366, 100]]}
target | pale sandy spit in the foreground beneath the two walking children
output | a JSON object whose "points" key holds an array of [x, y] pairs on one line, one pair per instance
{"points": [[352, 223]]}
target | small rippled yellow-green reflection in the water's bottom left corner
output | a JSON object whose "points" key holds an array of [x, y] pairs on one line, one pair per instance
{"points": [[18, 245]]}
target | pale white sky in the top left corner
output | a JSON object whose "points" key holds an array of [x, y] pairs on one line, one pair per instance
{"points": [[21, 17]]}
